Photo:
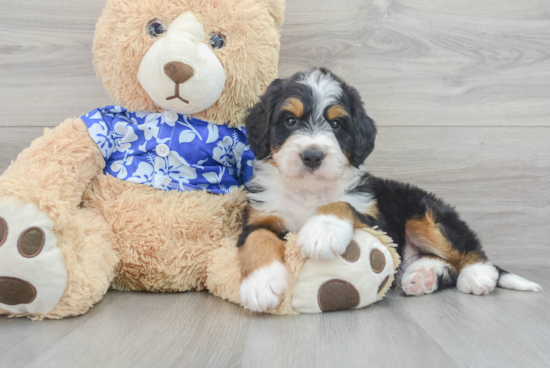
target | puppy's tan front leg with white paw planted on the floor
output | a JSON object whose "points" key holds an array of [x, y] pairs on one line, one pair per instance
{"points": [[261, 255]]}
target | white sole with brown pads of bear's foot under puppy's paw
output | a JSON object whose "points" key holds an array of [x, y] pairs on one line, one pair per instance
{"points": [[350, 281]]}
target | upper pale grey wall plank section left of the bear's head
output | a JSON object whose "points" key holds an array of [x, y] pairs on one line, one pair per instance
{"points": [[46, 71]]}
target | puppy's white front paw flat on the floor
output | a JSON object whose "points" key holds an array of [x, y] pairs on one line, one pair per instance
{"points": [[263, 288]]}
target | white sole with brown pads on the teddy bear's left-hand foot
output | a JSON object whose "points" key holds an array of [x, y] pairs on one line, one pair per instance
{"points": [[33, 275]]}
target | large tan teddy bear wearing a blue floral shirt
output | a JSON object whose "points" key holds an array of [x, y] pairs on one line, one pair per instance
{"points": [[149, 195]]}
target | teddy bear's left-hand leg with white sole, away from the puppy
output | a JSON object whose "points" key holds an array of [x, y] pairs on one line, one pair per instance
{"points": [[53, 269]]}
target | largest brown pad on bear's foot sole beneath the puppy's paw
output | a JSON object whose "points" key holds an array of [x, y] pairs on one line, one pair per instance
{"points": [[337, 295]]}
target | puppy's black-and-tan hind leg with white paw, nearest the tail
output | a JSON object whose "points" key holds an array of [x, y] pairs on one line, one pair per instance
{"points": [[451, 240]]}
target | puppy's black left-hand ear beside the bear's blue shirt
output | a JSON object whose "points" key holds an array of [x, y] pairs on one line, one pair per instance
{"points": [[258, 121]]}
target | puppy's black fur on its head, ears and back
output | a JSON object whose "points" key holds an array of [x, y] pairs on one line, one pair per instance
{"points": [[397, 202]]}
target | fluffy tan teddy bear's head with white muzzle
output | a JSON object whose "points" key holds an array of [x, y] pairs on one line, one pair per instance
{"points": [[206, 58]]}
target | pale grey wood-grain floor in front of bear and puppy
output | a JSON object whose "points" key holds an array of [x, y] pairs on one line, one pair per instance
{"points": [[447, 329]]}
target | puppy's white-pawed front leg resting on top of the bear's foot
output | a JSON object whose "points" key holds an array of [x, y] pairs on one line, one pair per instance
{"points": [[329, 232]]}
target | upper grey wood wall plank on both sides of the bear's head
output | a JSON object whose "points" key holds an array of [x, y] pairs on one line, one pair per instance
{"points": [[419, 62]]}
